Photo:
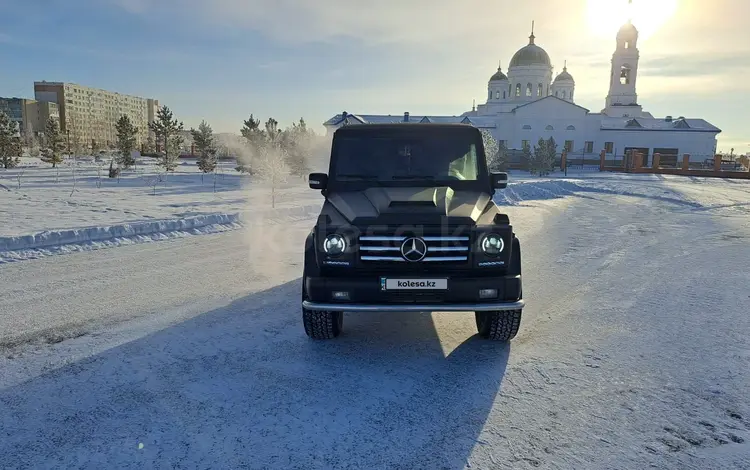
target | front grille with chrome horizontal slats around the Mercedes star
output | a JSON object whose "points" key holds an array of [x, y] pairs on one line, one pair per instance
{"points": [[440, 249]]}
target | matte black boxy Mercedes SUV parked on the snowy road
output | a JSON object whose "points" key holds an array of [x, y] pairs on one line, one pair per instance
{"points": [[409, 225]]}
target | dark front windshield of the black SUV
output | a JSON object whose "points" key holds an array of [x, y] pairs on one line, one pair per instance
{"points": [[402, 156]]}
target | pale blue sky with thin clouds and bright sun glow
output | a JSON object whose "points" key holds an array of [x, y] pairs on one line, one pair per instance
{"points": [[222, 60]]}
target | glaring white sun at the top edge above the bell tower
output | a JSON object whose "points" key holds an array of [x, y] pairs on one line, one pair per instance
{"points": [[606, 16]]}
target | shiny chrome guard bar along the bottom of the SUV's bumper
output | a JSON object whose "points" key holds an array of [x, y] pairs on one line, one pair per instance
{"points": [[415, 308]]}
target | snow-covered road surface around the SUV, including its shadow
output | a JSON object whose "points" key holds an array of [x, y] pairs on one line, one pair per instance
{"points": [[633, 352]]}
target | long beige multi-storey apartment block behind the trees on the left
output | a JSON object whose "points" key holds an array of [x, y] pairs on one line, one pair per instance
{"points": [[91, 114]]}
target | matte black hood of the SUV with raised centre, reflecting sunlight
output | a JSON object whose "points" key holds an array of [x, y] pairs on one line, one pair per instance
{"points": [[410, 205]]}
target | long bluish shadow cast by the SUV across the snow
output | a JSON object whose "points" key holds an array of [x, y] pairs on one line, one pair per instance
{"points": [[242, 386]]}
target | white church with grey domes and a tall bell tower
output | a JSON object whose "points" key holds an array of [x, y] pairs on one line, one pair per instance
{"points": [[527, 104]]}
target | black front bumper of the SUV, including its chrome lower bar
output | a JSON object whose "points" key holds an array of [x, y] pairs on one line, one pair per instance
{"points": [[365, 294]]}
